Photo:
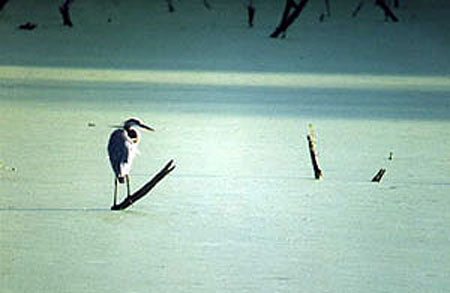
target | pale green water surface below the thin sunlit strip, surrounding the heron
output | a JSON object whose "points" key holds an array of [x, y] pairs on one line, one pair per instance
{"points": [[241, 212]]}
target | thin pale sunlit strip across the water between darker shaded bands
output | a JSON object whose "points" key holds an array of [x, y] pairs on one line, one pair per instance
{"points": [[224, 78]]}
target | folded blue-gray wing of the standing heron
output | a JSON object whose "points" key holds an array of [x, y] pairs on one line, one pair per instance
{"points": [[118, 150]]}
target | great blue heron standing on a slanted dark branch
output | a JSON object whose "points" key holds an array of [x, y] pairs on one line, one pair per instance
{"points": [[122, 148]]}
